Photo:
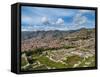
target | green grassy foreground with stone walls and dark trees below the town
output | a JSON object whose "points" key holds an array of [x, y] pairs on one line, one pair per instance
{"points": [[37, 60]]}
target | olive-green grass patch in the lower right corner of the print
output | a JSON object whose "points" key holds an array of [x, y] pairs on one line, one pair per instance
{"points": [[75, 59]]}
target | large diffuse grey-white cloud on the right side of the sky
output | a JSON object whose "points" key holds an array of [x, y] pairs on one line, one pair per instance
{"points": [[79, 20]]}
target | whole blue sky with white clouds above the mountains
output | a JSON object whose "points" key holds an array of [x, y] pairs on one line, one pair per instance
{"points": [[40, 18]]}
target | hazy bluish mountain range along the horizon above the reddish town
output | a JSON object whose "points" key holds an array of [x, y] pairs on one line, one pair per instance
{"points": [[55, 33]]}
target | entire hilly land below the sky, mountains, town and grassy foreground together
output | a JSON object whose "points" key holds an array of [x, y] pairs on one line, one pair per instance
{"points": [[58, 49]]}
